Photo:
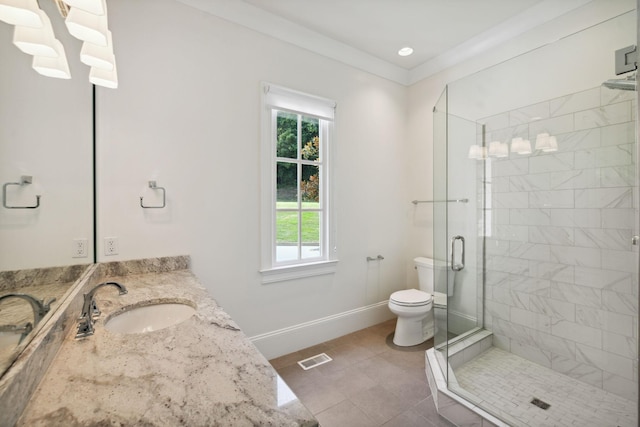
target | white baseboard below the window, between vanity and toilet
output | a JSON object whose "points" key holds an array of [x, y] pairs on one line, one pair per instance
{"points": [[288, 340]]}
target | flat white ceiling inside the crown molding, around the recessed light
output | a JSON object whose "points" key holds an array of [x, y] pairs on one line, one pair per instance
{"points": [[381, 27]]}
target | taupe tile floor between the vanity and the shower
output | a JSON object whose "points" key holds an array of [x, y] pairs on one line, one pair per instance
{"points": [[370, 381]]}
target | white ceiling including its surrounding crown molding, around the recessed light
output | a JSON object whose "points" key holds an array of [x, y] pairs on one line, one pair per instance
{"points": [[368, 33]]}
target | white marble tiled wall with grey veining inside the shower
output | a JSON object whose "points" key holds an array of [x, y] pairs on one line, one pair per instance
{"points": [[561, 288]]}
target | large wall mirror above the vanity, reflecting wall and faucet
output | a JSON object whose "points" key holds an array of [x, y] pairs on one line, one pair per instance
{"points": [[46, 150]]}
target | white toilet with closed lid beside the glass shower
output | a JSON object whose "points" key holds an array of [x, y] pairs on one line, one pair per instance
{"points": [[414, 308]]}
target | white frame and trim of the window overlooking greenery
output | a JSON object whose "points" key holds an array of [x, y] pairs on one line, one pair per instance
{"points": [[277, 98]]}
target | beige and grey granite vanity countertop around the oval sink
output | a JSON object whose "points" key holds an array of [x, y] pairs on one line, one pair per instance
{"points": [[201, 372]]}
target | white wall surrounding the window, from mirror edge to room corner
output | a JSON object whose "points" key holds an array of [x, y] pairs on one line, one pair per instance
{"points": [[187, 115]]}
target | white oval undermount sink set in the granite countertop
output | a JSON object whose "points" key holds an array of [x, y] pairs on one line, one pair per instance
{"points": [[149, 318]]}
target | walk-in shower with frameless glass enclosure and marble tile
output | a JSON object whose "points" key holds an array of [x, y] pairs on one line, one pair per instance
{"points": [[542, 328]]}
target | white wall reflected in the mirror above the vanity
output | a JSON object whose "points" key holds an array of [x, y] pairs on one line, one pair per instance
{"points": [[45, 132]]}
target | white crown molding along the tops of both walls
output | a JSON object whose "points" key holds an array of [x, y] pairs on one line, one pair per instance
{"points": [[254, 18]]}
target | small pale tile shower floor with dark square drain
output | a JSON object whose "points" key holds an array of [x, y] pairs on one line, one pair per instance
{"points": [[573, 403]]}
